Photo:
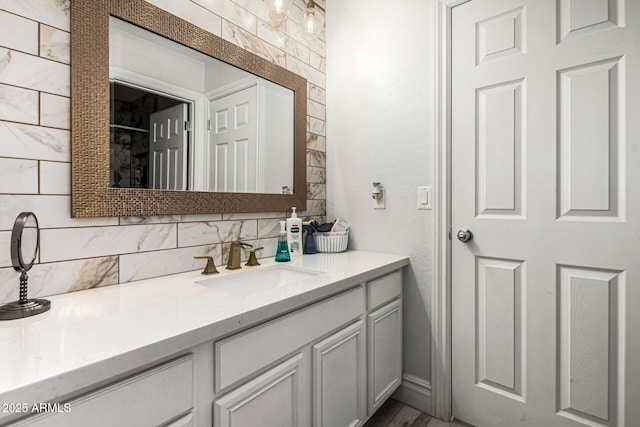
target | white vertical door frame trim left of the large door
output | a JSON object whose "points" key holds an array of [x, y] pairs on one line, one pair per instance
{"points": [[441, 374]]}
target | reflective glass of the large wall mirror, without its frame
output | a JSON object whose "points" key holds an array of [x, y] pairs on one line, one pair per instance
{"points": [[193, 122]]}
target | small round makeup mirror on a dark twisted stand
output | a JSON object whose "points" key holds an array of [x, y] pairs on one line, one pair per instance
{"points": [[25, 241]]}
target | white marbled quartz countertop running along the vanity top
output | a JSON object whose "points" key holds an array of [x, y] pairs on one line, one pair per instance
{"points": [[90, 337]]}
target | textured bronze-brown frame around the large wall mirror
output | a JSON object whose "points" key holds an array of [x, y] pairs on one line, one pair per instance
{"points": [[92, 195]]}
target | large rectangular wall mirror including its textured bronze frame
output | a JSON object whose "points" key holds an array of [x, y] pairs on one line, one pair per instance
{"points": [[107, 181]]}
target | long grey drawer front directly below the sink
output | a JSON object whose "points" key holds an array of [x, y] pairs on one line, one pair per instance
{"points": [[241, 355]]}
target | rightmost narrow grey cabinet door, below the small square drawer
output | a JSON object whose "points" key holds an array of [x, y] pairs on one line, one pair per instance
{"points": [[385, 353]]}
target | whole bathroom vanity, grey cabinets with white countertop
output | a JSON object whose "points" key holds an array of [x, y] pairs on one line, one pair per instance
{"points": [[317, 341]]}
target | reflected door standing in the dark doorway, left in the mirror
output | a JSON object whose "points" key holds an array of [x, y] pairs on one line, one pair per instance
{"points": [[168, 148]]}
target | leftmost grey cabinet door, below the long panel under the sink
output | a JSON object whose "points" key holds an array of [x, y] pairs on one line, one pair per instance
{"points": [[272, 399]]}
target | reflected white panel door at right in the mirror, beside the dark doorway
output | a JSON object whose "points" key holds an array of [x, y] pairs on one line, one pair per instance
{"points": [[233, 148]]}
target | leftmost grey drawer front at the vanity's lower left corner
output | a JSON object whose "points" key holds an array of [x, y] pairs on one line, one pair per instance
{"points": [[152, 397]]}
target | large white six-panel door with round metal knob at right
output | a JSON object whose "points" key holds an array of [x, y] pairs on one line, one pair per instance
{"points": [[546, 177]]}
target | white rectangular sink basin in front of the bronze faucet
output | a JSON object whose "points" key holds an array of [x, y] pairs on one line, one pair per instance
{"points": [[246, 281]]}
